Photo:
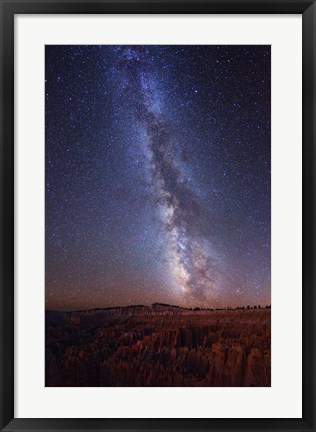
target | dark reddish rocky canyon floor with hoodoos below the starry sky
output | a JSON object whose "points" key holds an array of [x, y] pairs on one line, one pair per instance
{"points": [[158, 346]]}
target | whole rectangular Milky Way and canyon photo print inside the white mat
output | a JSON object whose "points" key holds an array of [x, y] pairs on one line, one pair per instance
{"points": [[158, 215]]}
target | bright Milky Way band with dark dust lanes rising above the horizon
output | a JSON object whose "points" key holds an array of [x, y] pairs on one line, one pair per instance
{"points": [[189, 261]]}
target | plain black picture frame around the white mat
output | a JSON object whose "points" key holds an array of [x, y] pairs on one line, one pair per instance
{"points": [[8, 10]]}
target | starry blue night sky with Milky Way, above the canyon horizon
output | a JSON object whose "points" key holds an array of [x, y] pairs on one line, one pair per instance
{"points": [[158, 176]]}
